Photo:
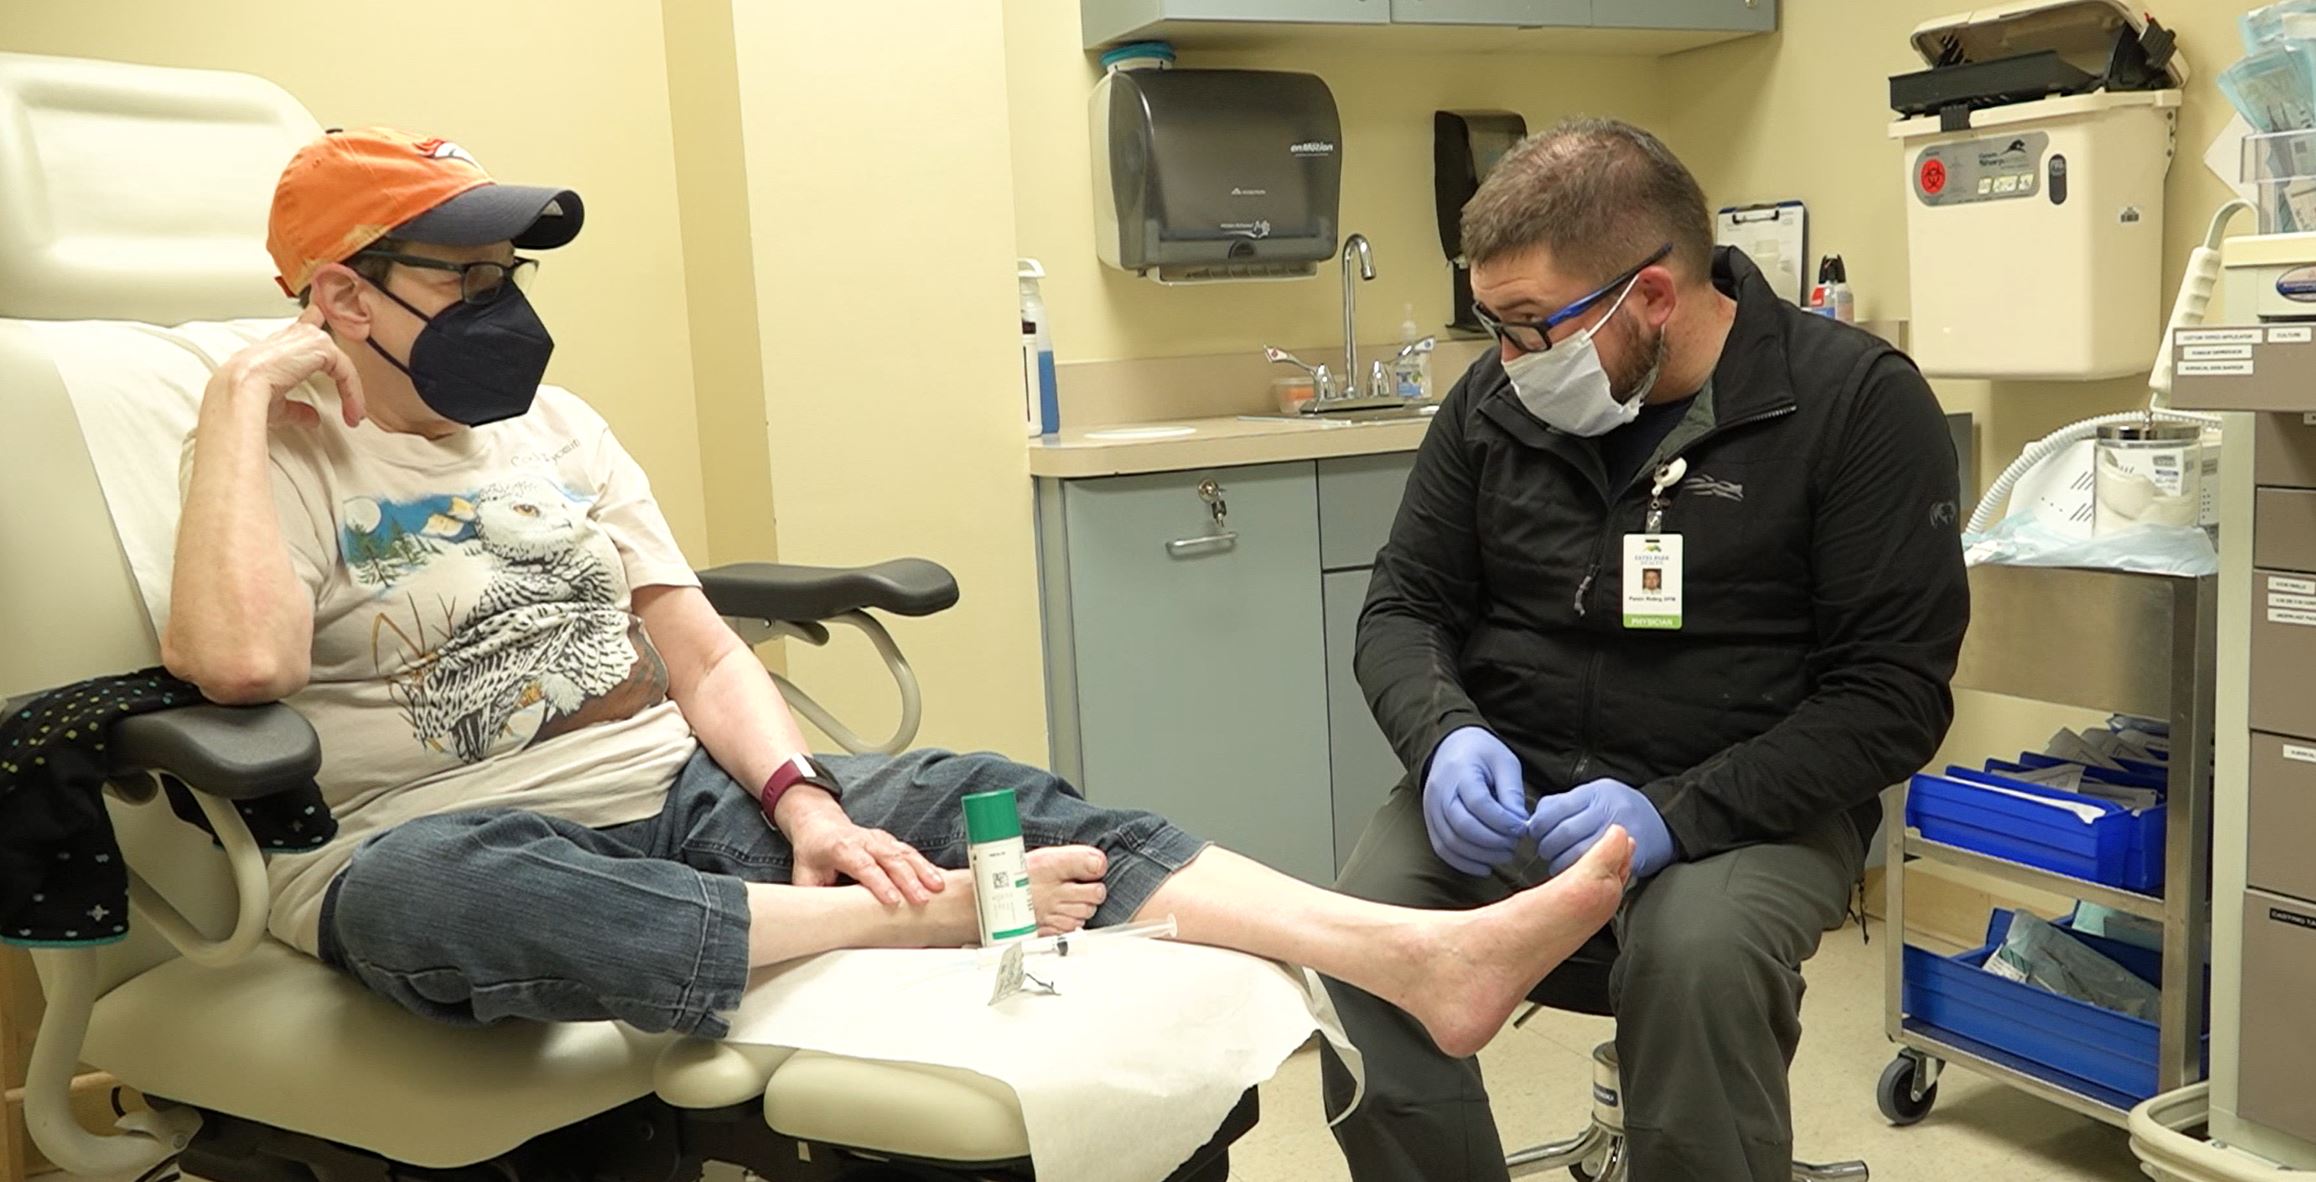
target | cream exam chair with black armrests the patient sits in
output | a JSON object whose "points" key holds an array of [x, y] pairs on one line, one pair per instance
{"points": [[263, 1065]]}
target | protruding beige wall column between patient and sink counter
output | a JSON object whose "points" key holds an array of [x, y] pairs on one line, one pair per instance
{"points": [[881, 196]]}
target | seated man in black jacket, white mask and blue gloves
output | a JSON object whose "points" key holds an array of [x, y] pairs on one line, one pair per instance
{"points": [[1678, 557]]}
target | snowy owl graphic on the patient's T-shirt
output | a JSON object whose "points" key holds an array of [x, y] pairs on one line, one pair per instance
{"points": [[501, 615]]}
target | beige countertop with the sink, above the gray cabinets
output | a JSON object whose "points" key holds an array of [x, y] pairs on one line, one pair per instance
{"points": [[1212, 444]]}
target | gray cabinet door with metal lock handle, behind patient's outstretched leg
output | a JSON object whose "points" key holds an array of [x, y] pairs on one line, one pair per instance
{"points": [[1189, 657]]}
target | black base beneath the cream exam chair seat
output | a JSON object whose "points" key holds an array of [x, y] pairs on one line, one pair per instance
{"points": [[643, 1141]]}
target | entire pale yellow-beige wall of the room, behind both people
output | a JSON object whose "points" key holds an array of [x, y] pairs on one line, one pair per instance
{"points": [[833, 326]]}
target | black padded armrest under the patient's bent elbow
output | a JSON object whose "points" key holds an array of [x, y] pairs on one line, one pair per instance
{"points": [[228, 752]]}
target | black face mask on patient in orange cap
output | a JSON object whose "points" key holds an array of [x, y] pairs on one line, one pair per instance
{"points": [[478, 363]]}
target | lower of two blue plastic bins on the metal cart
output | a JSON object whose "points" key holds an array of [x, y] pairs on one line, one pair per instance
{"points": [[2081, 1046]]}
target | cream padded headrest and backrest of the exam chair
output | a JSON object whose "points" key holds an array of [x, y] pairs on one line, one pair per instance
{"points": [[126, 194]]}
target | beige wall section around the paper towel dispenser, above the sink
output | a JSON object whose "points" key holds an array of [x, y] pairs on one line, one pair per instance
{"points": [[1386, 101]]}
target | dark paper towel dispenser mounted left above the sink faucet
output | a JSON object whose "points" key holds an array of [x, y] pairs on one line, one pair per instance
{"points": [[1215, 175]]}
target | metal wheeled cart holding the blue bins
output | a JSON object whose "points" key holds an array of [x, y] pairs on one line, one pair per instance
{"points": [[2099, 641]]}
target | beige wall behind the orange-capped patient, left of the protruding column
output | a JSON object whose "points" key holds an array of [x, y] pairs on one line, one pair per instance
{"points": [[536, 96]]}
